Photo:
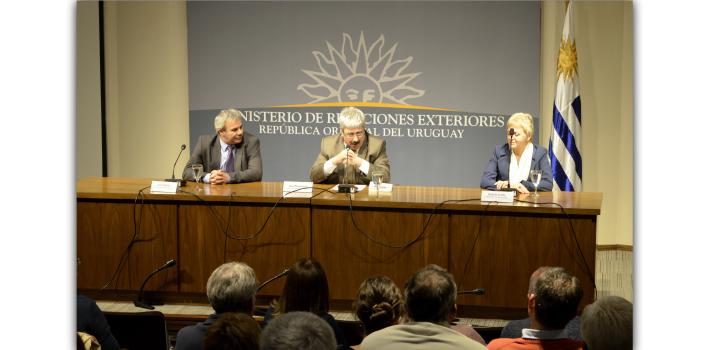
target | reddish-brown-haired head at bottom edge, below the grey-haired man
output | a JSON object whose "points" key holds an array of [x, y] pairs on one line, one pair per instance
{"points": [[233, 330]]}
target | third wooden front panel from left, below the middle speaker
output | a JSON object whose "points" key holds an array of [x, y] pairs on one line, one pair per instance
{"points": [[349, 257]]}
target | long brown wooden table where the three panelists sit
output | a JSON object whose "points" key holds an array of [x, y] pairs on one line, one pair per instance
{"points": [[485, 245]]}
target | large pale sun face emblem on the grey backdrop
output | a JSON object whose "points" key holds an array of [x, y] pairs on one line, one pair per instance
{"points": [[357, 72]]}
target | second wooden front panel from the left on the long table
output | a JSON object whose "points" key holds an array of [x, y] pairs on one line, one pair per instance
{"points": [[202, 233]]}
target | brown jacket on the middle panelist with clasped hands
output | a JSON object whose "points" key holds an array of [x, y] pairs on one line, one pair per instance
{"points": [[373, 151]]}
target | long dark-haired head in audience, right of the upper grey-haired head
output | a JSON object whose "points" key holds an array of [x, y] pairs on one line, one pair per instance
{"points": [[306, 288]]}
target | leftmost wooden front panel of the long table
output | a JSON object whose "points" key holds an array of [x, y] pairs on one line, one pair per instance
{"points": [[104, 230]]}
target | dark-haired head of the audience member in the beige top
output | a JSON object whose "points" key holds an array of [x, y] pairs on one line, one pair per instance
{"points": [[430, 295]]}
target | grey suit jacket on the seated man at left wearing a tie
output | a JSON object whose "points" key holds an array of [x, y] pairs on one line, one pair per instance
{"points": [[248, 161]]}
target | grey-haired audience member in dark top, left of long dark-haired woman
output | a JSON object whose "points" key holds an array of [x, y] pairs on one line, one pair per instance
{"points": [[230, 288]]}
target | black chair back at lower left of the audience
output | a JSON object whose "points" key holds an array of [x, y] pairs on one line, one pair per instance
{"points": [[139, 330]]}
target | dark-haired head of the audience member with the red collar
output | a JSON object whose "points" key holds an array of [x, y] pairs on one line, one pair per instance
{"points": [[555, 297]]}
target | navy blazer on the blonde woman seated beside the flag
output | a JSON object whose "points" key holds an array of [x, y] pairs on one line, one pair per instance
{"points": [[499, 165]]}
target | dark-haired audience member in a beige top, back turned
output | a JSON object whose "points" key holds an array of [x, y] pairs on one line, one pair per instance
{"points": [[430, 296]]}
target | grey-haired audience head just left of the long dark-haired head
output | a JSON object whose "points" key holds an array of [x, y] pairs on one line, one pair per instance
{"points": [[231, 288]]}
